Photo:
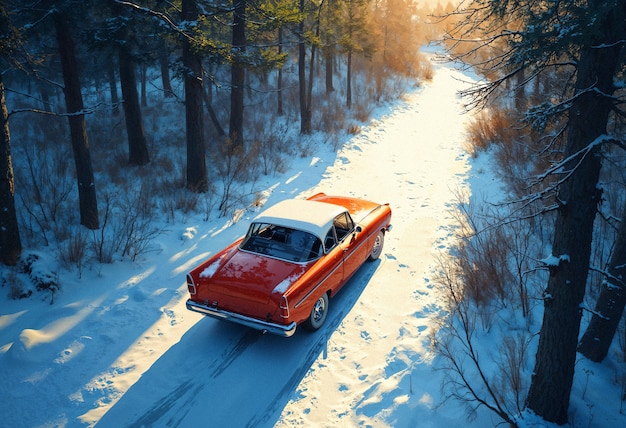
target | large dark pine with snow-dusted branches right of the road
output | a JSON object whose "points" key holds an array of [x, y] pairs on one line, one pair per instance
{"points": [[584, 42]]}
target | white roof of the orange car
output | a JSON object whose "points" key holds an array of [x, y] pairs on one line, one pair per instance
{"points": [[301, 214]]}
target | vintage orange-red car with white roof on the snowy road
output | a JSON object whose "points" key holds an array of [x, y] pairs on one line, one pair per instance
{"points": [[296, 255]]}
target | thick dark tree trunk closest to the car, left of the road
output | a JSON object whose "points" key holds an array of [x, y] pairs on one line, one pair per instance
{"points": [[197, 177]]}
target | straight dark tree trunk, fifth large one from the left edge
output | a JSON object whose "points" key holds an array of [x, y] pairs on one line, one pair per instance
{"points": [[238, 74]]}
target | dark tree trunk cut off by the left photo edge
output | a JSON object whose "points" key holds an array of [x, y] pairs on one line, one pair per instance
{"points": [[10, 242]]}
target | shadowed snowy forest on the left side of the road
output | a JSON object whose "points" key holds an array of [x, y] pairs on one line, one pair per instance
{"points": [[70, 70]]}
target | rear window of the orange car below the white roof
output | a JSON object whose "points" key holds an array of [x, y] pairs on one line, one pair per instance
{"points": [[282, 242]]}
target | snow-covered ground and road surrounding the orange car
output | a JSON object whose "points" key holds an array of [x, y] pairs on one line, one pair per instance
{"points": [[118, 347]]}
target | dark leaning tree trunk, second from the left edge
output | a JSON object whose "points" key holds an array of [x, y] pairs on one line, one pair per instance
{"points": [[78, 131]]}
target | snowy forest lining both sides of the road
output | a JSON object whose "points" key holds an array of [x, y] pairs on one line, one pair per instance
{"points": [[123, 117]]}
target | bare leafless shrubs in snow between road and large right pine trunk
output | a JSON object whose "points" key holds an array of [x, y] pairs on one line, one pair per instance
{"points": [[478, 284]]}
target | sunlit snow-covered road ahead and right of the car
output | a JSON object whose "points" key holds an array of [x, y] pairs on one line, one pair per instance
{"points": [[375, 370]]}
